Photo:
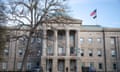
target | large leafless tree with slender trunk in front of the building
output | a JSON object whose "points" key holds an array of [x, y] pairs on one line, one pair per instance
{"points": [[33, 13]]}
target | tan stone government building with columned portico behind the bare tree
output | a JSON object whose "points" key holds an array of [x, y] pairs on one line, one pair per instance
{"points": [[68, 47]]}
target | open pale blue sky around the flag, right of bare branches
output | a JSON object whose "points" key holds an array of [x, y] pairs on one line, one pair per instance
{"points": [[108, 12]]}
